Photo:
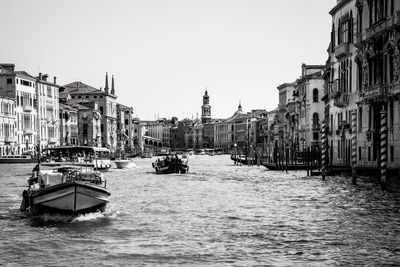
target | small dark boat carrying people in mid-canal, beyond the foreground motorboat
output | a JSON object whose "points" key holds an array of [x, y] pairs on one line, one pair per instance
{"points": [[171, 164]]}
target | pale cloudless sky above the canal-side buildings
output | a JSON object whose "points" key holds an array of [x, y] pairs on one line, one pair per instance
{"points": [[163, 53]]}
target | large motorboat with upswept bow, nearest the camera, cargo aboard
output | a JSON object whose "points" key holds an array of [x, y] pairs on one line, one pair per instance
{"points": [[65, 189]]}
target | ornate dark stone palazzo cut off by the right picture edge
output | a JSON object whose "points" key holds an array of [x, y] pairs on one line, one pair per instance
{"points": [[377, 61]]}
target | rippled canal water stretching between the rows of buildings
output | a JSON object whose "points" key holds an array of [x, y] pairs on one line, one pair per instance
{"points": [[217, 214]]}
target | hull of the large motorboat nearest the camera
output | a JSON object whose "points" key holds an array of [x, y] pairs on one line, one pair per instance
{"points": [[69, 197]]}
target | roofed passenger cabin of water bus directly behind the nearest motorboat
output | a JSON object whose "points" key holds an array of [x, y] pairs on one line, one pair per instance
{"points": [[74, 153]]}
